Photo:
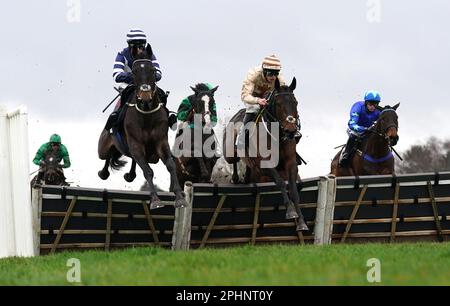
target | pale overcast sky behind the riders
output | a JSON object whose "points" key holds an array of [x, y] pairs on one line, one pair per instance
{"points": [[60, 66]]}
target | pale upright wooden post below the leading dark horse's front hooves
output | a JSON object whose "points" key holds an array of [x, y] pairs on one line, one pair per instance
{"points": [[181, 236]]}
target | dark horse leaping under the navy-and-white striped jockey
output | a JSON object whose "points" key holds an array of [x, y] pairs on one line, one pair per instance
{"points": [[145, 129]]}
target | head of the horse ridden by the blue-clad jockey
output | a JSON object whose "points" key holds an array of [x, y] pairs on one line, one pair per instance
{"points": [[387, 123]]}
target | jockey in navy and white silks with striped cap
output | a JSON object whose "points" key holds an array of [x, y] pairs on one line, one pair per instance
{"points": [[122, 75]]}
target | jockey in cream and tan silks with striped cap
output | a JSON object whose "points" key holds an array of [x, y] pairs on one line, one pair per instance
{"points": [[258, 84]]}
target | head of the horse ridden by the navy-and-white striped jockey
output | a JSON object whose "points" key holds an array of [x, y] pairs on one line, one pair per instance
{"points": [[144, 75]]}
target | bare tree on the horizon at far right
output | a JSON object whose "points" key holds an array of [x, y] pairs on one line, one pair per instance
{"points": [[433, 156]]}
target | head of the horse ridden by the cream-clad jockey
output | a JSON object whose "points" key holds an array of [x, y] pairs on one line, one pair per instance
{"points": [[283, 106]]}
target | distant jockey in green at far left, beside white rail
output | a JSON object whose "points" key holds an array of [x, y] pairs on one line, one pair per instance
{"points": [[62, 154]]}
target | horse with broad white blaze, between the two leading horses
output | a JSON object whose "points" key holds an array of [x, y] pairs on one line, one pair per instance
{"points": [[197, 166]]}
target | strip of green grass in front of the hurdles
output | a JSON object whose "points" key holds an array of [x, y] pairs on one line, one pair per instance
{"points": [[401, 264]]}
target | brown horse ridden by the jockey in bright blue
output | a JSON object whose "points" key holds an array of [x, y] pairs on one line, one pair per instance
{"points": [[374, 153]]}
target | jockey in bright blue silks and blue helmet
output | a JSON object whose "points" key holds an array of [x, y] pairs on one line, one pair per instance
{"points": [[362, 116]]}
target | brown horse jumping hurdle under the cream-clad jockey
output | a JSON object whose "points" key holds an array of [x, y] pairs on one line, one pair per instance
{"points": [[281, 118]]}
